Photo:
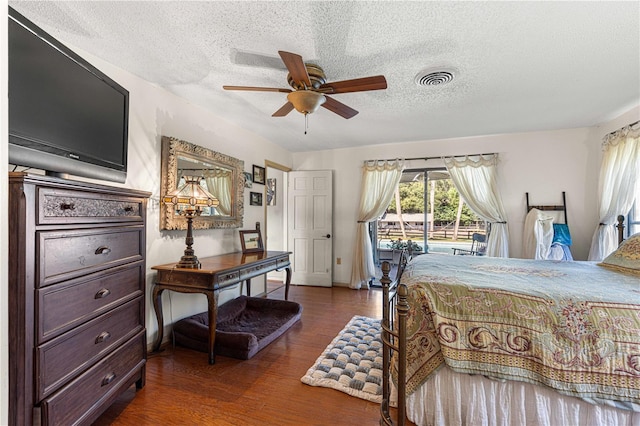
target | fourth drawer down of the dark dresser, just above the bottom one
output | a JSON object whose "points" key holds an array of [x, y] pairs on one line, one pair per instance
{"points": [[64, 357]]}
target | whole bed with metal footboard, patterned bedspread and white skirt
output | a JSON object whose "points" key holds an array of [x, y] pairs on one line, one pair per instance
{"points": [[484, 341]]}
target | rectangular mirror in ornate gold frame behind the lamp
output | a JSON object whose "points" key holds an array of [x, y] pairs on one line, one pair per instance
{"points": [[221, 175]]}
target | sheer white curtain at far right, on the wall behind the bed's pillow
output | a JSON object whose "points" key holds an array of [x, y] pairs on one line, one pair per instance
{"points": [[617, 187]]}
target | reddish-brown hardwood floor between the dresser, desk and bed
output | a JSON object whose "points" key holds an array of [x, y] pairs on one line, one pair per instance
{"points": [[182, 388]]}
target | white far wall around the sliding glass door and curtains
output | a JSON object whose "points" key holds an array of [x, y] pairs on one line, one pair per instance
{"points": [[541, 163]]}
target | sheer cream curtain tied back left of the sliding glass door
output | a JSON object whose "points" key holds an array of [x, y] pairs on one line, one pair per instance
{"points": [[379, 182]]}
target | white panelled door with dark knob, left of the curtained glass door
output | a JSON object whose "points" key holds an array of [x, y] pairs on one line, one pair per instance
{"points": [[310, 218]]}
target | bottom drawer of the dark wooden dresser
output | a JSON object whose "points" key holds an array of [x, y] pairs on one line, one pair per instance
{"points": [[75, 403]]}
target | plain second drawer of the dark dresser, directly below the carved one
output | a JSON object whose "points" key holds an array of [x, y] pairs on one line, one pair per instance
{"points": [[64, 255]]}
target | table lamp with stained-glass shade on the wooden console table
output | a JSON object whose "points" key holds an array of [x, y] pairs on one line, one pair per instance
{"points": [[188, 201]]}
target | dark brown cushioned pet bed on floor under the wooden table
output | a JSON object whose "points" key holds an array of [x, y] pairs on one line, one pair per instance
{"points": [[245, 325]]}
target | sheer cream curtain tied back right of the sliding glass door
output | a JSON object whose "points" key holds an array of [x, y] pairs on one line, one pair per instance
{"points": [[475, 179]]}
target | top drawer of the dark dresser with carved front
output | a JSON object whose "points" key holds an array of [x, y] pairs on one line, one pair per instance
{"points": [[70, 206]]}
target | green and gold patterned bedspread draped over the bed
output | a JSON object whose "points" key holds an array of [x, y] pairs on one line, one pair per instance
{"points": [[572, 326]]}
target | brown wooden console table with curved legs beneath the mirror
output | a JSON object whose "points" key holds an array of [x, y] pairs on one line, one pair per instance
{"points": [[216, 273]]}
